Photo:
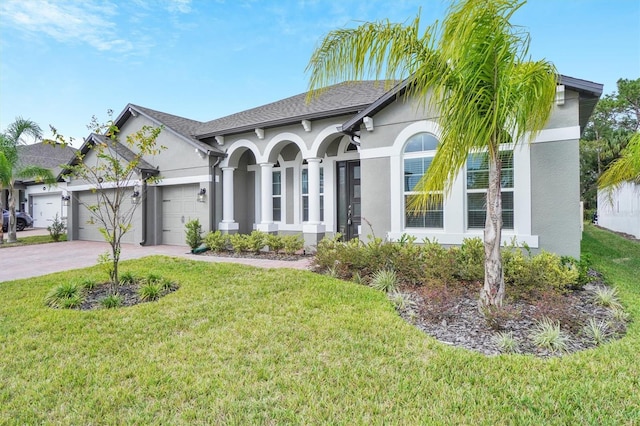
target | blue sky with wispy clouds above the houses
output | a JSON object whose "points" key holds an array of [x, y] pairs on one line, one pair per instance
{"points": [[61, 62]]}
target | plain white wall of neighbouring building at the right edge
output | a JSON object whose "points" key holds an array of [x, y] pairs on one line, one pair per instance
{"points": [[620, 212]]}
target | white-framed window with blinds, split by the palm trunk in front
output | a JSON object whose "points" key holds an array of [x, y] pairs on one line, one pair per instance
{"points": [[477, 184]]}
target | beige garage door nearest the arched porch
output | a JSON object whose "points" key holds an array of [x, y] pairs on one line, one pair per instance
{"points": [[179, 206]]}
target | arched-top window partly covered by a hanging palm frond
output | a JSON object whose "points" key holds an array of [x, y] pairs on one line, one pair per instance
{"points": [[418, 154]]}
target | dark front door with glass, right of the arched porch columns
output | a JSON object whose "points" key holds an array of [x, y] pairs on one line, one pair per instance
{"points": [[348, 199]]}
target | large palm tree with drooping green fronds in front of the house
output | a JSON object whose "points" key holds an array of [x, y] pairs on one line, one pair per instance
{"points": [[475, 70]]}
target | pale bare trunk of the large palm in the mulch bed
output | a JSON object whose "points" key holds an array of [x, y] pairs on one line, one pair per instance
{"points": [[493, 292]]}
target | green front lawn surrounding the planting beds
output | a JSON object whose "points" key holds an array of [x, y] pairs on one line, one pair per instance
{"points": [[238, 345]]}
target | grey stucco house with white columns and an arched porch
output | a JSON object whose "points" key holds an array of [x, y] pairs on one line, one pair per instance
{"points": [[346, 162]]}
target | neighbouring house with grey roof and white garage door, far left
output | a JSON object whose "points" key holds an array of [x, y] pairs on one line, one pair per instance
{"points": [[42, 201]]}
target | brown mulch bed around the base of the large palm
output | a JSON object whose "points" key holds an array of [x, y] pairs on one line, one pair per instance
{"points": [[453, 317]]}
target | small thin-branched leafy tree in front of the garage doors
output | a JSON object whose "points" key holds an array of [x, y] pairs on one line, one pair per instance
{"points": [[113, 176]]}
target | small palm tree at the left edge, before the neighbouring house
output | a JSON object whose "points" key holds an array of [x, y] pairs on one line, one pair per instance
{"points": [[11, 170]]}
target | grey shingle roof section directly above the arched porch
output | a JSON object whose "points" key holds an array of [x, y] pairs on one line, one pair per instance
{"points": [[343, 98]]}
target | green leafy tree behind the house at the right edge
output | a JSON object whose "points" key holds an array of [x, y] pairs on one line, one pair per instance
{"points": [[614, 121]]}
